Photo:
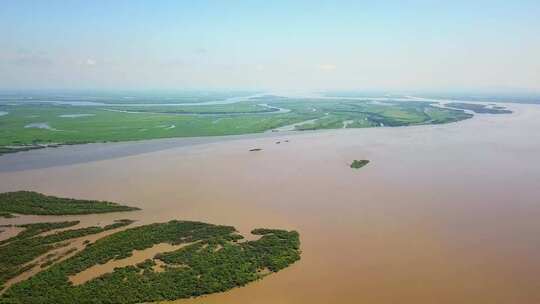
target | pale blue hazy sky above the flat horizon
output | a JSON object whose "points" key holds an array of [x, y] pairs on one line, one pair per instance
{"points": [[277, 44]]}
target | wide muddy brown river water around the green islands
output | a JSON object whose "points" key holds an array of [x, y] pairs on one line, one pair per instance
{"points": [[442, 214]]}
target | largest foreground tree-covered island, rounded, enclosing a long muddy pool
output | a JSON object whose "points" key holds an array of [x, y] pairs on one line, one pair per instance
{"points": [[213, 260]]}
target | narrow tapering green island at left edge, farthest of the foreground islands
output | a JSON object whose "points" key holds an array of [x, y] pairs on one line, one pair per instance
{"points": [[29, 202]]}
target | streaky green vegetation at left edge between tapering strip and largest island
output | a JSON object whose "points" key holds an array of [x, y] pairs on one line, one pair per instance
{"points": [[17, 253]]}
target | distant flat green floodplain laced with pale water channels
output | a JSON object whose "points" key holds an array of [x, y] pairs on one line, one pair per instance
{"points": [[28, 124]]}
